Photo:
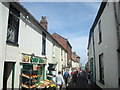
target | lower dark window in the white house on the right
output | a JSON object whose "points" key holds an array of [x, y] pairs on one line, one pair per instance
{"points": [[101, 67]]}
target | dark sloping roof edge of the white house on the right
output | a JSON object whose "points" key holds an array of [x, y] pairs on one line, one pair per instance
{"points": [[100, 11]]}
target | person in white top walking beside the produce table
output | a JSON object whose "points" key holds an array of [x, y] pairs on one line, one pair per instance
{"points": [[59, 80]]}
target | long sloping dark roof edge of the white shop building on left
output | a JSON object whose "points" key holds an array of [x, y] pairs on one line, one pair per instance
{"points": [[25, 12]]}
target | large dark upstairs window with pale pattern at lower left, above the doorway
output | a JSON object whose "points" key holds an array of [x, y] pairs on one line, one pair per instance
{"points": [[13, 26]]}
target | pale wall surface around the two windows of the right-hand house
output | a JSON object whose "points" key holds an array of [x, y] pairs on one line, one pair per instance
{"points": [[108, 47]]}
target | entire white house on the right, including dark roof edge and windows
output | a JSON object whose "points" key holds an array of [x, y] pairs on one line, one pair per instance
{"points": [[104, 42]]}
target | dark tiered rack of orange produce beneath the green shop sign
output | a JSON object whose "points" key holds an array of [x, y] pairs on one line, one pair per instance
{"points": [[29, 76]]}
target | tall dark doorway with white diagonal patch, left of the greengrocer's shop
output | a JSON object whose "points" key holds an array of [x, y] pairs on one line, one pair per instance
{"points": [[8, 77]]}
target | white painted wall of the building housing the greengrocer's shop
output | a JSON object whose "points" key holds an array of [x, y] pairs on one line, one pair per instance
{"points": [[29, 40]]}
